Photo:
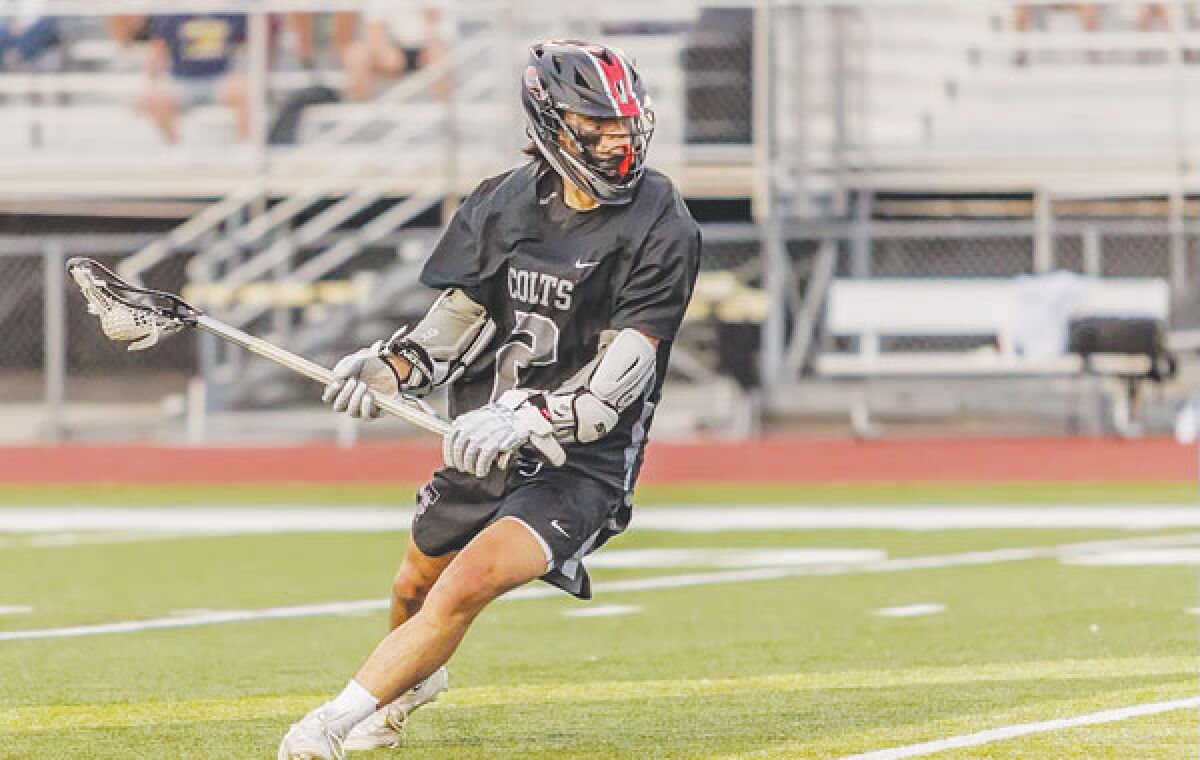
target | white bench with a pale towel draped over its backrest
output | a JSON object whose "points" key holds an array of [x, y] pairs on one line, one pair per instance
{"points": [[871, 310]]}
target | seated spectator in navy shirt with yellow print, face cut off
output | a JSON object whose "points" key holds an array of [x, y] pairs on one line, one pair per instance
{"points": [[193, 63]]}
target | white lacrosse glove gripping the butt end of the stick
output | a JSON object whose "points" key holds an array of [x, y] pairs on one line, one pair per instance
{"points": [[494, 433]]}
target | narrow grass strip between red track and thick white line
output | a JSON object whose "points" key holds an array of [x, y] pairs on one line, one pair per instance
{"points": [[649, 495]]}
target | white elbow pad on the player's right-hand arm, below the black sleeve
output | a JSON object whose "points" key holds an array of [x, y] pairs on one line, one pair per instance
{"points": [[589, 408]]}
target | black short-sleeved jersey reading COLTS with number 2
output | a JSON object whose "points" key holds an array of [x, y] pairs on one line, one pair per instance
{"points": [[554, 279]]}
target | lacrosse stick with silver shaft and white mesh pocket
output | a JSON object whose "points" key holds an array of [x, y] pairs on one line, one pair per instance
{"points": [[143, 316]]}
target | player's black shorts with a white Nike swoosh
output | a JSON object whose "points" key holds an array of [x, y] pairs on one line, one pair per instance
{"points": [[569, 513]]}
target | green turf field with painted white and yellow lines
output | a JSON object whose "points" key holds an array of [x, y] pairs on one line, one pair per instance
{"points": [[800, 667]]}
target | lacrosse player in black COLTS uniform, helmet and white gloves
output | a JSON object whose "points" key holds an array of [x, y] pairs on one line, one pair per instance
{"points": [[562, 286]]}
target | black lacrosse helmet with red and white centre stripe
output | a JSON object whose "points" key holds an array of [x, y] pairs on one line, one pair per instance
{"points": [[595, 81]]}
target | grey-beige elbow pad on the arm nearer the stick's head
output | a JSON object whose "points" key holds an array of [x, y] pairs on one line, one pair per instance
{"points": [[443, 344]]}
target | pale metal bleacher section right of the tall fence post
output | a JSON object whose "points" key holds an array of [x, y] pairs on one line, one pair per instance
{"points": [[951, 97]]}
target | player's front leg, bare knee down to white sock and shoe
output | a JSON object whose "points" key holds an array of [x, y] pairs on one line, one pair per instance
{"points": [[503, 556]]}
